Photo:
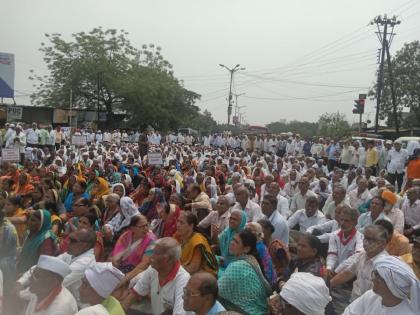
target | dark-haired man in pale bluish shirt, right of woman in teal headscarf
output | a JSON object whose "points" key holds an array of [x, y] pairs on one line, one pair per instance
{"points": [[281, 229]]}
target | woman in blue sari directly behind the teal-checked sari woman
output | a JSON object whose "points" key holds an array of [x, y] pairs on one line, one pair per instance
{"points": [[263, 254]]}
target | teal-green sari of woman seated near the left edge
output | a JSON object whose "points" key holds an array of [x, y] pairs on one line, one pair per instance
{"points": [[30, 251]]}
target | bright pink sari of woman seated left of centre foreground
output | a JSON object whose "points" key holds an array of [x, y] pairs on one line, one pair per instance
{"points": [[131, 252]]}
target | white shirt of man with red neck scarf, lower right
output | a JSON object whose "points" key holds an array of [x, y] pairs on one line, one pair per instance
{"points": [[339, 251]]}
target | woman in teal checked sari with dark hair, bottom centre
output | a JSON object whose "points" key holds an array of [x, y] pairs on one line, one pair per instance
{"points": [[243, 287]]}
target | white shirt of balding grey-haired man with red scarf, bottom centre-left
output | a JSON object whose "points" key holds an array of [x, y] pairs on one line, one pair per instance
{"points": [[169, 295]]}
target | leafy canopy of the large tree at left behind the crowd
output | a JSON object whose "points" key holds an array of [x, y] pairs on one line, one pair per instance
{"points": [[137, 81]]}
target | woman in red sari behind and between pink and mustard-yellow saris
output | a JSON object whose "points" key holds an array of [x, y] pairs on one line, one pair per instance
{"points": [[165, 226]]}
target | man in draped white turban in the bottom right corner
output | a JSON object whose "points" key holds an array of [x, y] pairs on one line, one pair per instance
{"points": [[396, 290]]}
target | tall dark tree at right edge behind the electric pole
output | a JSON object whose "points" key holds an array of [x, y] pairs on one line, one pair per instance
{"points": [[406, 70]]}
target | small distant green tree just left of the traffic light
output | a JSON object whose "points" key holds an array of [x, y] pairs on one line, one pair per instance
{"points": [[333, 125]]}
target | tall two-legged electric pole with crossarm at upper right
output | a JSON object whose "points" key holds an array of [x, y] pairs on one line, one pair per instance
{"points": [[385, 38]]}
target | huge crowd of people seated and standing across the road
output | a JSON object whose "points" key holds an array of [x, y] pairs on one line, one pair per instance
{"points": [[274, 224]]}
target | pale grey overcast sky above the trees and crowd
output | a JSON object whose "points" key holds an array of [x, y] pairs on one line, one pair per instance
{"points": [[302, 57]]}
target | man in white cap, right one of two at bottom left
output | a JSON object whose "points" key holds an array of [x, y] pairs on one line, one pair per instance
{"points": [[97, 286]]}
